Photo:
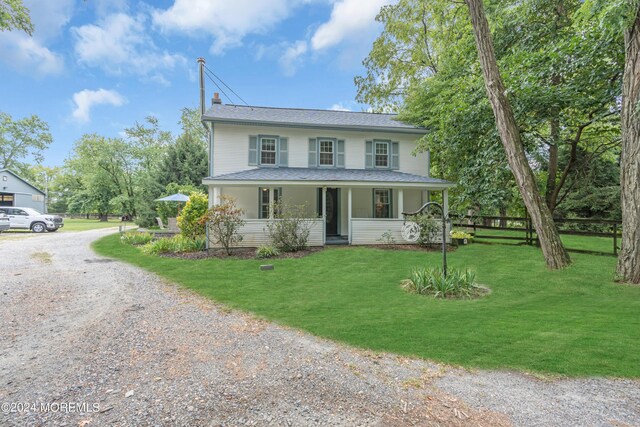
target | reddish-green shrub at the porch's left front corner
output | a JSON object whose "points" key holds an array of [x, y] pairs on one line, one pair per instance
{"points": [[225, 221]]}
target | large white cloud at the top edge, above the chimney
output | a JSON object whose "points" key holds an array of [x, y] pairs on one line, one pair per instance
{"points": [[227, 21]]}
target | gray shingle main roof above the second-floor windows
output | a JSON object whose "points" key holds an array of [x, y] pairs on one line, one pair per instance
{"points": [[308, 118]]}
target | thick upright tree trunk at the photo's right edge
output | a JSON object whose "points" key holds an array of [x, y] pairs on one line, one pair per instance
{"points": [[629, 257]]}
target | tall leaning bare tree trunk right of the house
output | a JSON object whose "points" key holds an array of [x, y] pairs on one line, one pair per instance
{"points": [[553, 250]]}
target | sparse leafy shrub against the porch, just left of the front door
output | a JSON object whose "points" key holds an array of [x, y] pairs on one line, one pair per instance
{"points": [[289, 231]]}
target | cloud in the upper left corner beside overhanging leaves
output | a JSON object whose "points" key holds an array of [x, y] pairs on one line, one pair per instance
{"points": [[31, 53]]}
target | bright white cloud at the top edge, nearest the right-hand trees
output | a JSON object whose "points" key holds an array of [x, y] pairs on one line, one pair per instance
{"points": [[350, 20]]}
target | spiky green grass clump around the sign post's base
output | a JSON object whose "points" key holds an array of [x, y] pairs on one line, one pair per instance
{"points": [[431, 281]]}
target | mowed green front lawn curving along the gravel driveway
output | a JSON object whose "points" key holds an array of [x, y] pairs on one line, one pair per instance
{"points": [[574, 322]]}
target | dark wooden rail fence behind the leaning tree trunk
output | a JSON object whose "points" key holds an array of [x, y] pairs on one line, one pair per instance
{"points": [[566, 226]]}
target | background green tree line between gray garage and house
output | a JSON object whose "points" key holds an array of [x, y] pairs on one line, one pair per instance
{"points": [[103, 175]]}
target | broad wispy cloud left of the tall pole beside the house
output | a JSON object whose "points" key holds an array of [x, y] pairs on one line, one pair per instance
{"points": [[119, 44]]}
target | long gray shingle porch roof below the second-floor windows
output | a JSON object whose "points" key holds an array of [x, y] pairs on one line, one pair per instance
{"points": [[327, 175]]}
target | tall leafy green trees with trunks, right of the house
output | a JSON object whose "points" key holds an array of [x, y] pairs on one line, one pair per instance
{"points": [[523, 102]]}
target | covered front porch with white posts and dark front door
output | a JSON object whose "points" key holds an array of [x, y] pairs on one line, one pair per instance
{"points": [[344, 211]]}
